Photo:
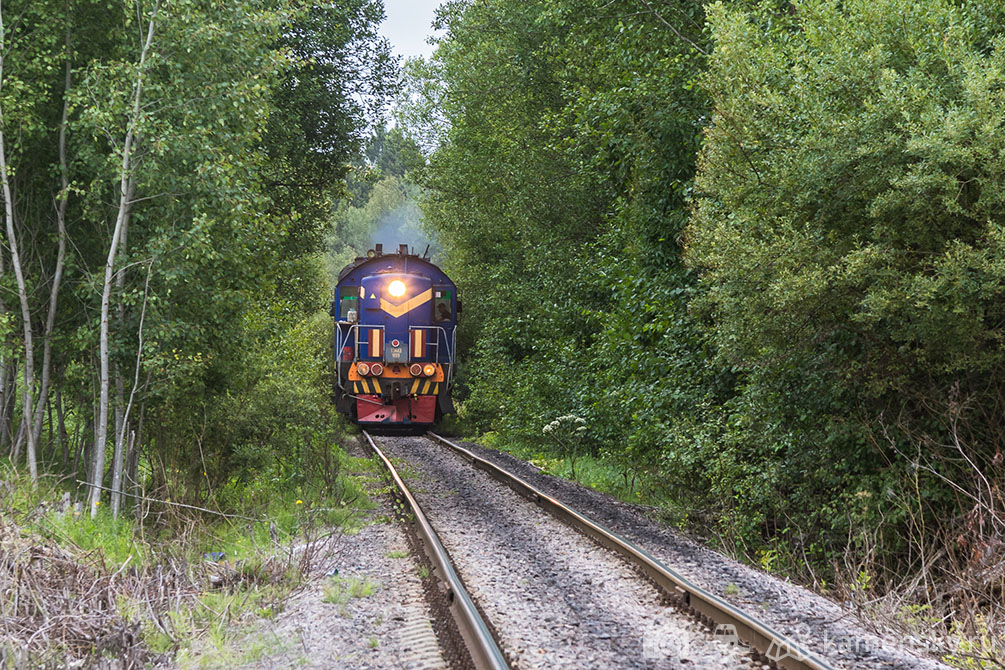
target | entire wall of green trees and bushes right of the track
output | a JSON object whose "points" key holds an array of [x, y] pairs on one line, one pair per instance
{"points": [[757, 248]]}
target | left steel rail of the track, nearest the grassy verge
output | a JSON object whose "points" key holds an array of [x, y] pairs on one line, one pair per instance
{"points": [[485, 652]]}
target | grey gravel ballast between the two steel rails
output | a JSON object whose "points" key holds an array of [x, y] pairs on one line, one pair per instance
{"points": [[554, 598]]}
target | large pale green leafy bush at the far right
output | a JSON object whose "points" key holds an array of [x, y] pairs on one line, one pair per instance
{"points": [[849, 239]]}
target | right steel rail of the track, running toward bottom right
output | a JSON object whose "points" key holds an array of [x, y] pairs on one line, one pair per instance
{"points": [[771, 645]]}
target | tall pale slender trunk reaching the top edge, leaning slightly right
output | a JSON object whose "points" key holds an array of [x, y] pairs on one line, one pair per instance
{"points": [[127, 186]]}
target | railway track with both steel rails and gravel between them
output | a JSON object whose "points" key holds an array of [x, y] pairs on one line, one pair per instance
{"points": [[738, 638]]}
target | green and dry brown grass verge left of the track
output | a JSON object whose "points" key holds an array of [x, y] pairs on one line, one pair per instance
{"points": [[152, 587]]}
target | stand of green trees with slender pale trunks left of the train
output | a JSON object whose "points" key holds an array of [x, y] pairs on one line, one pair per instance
{"points": [[169, 173]]}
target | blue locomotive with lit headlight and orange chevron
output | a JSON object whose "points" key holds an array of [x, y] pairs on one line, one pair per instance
{"points": [[395, 341]]}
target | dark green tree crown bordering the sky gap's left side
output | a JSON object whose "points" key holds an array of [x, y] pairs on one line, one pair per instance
{"points": [[340, 73]]}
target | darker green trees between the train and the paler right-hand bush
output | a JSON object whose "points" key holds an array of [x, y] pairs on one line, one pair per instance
{"points": [[559, 190]]}
